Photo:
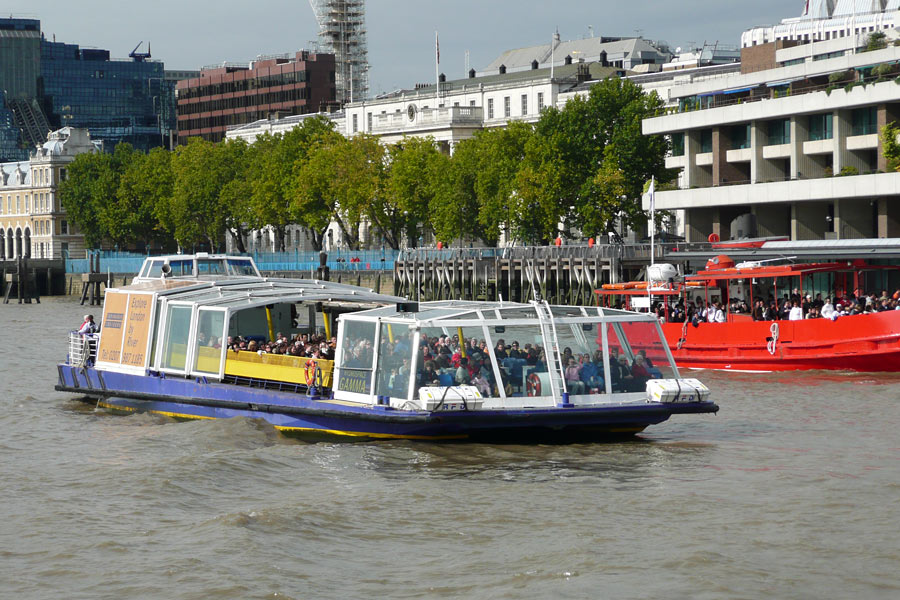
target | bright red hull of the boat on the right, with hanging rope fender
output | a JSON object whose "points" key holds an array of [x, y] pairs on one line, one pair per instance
{"points": [[868, 343]]}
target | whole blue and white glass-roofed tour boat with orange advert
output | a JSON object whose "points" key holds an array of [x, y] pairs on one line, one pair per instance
{"points": [[160, 351]]}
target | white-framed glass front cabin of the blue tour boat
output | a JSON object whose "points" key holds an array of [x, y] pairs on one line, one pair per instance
{"points": [[493, 355]]}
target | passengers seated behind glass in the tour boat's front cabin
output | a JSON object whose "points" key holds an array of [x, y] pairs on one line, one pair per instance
{"points": [[444, 361]]}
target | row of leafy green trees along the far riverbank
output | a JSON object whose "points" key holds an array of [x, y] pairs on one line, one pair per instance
{"points": [[577, 169]]}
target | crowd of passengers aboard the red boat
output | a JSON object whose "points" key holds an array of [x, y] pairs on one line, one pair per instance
{"points": [[794, 307]]}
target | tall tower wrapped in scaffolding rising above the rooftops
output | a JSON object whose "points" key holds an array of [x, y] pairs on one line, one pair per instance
{"points": [[342, 31]]}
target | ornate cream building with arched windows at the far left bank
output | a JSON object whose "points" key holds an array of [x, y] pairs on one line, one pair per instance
{"points": [[33, 222]]}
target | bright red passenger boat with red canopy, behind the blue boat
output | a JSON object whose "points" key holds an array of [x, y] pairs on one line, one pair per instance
{"points": [[863, 342]]}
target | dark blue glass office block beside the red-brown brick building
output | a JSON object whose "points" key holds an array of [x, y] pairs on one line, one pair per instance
{"points": [[116, 100]]}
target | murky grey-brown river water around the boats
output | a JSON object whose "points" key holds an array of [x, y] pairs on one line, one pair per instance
{"points": [[791, 491]]}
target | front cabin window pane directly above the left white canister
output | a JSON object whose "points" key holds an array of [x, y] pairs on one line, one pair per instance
{"points": [[438, 365]]}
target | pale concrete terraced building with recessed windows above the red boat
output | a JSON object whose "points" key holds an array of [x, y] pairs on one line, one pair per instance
{"points": [[793, 140]]}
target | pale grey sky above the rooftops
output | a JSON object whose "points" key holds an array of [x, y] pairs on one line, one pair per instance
{"points": [[189, 34]]}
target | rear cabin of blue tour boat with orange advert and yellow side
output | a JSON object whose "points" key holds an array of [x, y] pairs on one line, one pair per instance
{"points": [[181, 326]]}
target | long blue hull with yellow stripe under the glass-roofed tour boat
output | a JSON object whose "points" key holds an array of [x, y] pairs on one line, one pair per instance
{"points": [[302, 415]]}
